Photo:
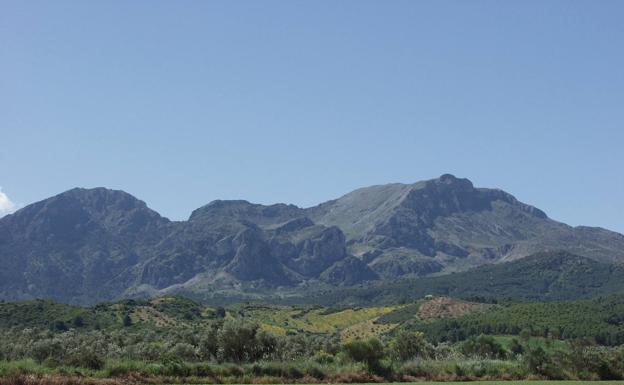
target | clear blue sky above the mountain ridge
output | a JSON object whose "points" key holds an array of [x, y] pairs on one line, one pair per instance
{"points": [[183, 102]]}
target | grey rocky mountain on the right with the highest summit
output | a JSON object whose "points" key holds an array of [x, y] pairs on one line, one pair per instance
{"points": [[447, 224]]}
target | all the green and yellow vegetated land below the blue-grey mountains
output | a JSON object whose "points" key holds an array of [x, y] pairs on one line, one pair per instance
{"points": [[175, 340]]}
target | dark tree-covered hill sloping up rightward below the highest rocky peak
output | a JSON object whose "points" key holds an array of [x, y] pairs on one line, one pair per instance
{"points": [[548, 276]]}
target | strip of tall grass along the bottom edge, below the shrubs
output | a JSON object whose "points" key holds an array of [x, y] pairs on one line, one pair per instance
{"points": [[126, 372]]}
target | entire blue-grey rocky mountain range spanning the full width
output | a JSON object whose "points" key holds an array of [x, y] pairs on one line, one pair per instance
{"points": [[88, 245]]}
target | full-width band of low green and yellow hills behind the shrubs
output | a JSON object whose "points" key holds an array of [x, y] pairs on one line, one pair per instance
{"points": [[439, 318]]}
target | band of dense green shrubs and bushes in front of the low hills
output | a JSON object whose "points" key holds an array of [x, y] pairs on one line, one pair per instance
{"points": [[232, 351]]}
